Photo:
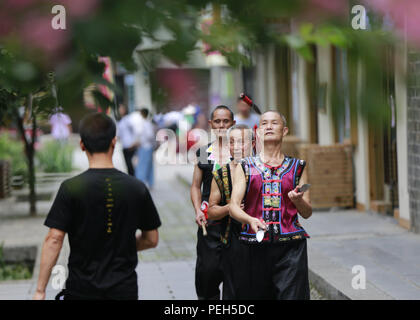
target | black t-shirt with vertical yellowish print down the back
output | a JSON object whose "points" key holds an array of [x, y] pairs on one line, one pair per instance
{"points": [[101, 209]]}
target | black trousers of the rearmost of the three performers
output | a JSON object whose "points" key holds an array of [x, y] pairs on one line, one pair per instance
{"points": [[208, 269]]}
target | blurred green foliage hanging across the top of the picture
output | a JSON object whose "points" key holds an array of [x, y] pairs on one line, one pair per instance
{"points": [[151, 30]]}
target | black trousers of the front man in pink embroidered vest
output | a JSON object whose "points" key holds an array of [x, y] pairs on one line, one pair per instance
{"points": [[275, 272]]}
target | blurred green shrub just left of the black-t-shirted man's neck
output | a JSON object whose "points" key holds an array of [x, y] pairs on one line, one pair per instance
{"points": [[55, 157]]}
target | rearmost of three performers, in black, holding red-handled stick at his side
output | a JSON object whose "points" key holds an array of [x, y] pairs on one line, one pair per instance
{"points": [[208, 271]]}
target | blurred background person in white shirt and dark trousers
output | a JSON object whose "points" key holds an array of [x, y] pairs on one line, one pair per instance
{"points": [[127, 136]]}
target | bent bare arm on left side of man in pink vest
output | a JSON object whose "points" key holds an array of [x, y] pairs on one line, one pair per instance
{"points": [[238, 193]]}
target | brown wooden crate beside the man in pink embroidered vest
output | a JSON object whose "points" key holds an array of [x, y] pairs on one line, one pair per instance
{"points": [[329, 170]]}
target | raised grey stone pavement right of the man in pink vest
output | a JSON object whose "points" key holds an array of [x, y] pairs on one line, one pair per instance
{"points": [[389, 254]]}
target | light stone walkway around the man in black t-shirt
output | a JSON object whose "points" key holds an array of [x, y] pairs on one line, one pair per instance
{"points": [[166, 272]]}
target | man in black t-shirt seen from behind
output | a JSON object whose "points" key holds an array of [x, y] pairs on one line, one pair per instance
{"points": [[101, 210]]}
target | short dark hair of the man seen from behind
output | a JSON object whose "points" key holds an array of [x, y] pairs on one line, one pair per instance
{"points": [[97, 131]]}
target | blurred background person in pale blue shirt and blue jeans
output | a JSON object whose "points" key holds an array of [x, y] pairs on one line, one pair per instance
{"points": [[147, 140]]}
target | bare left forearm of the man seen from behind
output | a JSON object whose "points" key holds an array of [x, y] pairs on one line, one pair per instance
{"points": [[50, 252]]}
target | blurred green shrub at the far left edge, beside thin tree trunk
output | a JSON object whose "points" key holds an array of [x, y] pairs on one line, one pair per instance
{"points": [[13, 151]]}
